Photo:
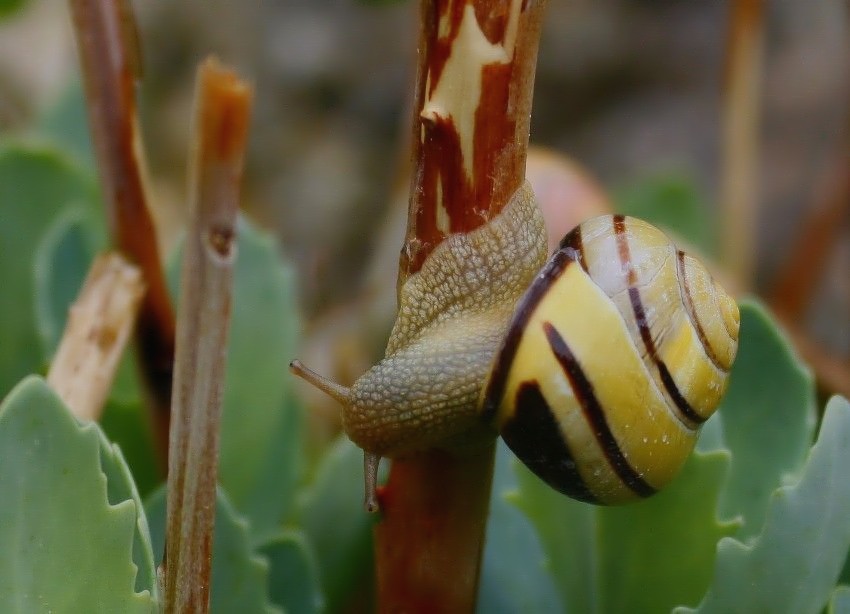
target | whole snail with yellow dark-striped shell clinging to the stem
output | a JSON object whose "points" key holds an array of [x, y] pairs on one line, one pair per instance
{"points": [[597, 366]]}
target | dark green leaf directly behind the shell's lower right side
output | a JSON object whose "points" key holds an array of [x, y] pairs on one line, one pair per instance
{"points": [[768, 417]]}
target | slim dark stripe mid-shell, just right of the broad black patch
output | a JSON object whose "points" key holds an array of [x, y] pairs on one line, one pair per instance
{"points": [[594, 414]]}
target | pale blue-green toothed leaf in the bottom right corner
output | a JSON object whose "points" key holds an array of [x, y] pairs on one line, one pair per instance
{"points": [[792, 565]]}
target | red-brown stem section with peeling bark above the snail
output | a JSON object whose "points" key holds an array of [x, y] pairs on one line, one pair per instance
{"points": [[473, 104]]}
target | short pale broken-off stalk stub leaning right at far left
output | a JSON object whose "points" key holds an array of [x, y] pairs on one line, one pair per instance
{"points": [[98, 328]]}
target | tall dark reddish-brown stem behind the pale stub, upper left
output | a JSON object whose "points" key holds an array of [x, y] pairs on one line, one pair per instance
{"points": [[109, 57]]}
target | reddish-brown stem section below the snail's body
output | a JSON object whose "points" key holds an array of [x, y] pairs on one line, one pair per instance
{"points": [[433, 566]]}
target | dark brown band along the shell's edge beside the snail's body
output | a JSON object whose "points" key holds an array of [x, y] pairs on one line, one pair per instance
{"points": [[525, 308]]}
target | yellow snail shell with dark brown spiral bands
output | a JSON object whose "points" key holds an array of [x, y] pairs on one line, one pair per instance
{"points": [[616, 354]]}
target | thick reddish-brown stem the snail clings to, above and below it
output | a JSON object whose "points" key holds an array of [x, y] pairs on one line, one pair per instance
{"points": [[470, 135]]}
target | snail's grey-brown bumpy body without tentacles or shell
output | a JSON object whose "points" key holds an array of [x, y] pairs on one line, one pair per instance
{"points": [[453, 314]]}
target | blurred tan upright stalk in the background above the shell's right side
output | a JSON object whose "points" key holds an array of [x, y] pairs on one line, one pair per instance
{"points": [[739, 157]]}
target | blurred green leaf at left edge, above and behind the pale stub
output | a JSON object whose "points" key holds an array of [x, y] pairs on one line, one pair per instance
{"points": [[35, 184]]}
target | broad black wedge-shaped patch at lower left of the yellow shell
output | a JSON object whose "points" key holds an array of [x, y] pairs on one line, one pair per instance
{"points": [[536, 437]]}
